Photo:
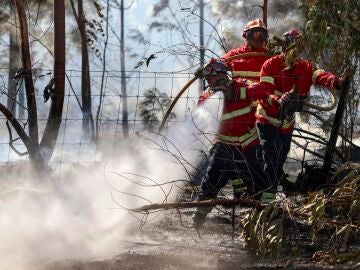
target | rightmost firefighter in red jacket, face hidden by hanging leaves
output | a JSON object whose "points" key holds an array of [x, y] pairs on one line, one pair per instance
{"points": [[286, 79]]}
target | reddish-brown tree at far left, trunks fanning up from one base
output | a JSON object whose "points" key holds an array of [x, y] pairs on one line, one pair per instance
{"points": [[31, 140]]}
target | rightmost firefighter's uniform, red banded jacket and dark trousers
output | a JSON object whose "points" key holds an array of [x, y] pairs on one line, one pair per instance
{"points": [[275, 134]]}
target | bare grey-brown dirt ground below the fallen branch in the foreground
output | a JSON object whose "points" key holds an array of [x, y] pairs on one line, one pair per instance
{"points": [[166, 244]]}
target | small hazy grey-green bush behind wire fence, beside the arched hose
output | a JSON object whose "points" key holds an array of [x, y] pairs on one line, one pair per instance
{"points": [[153, 107]]}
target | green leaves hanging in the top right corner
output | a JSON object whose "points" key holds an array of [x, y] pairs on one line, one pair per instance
{"points": [[332, 32]]}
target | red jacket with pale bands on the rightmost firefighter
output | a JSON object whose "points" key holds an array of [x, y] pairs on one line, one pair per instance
{"points": [[275, 80]]}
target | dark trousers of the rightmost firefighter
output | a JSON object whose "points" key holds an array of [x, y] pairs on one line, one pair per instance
{"points": [[273, 150]]}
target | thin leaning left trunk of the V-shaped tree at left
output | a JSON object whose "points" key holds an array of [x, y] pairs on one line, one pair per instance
{"points": [[33, 148]]}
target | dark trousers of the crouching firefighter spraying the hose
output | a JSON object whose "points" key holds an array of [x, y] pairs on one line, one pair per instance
{"points": [[228, 162]]}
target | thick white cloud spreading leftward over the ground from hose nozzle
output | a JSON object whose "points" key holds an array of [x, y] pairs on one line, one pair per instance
{"points": [[80, 212]]}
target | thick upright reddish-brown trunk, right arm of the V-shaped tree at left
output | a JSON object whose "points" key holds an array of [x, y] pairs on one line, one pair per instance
{"points": [[57, 100]]}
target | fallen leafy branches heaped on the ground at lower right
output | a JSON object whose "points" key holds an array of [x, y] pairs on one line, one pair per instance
{"points": [[330, 220]]}
